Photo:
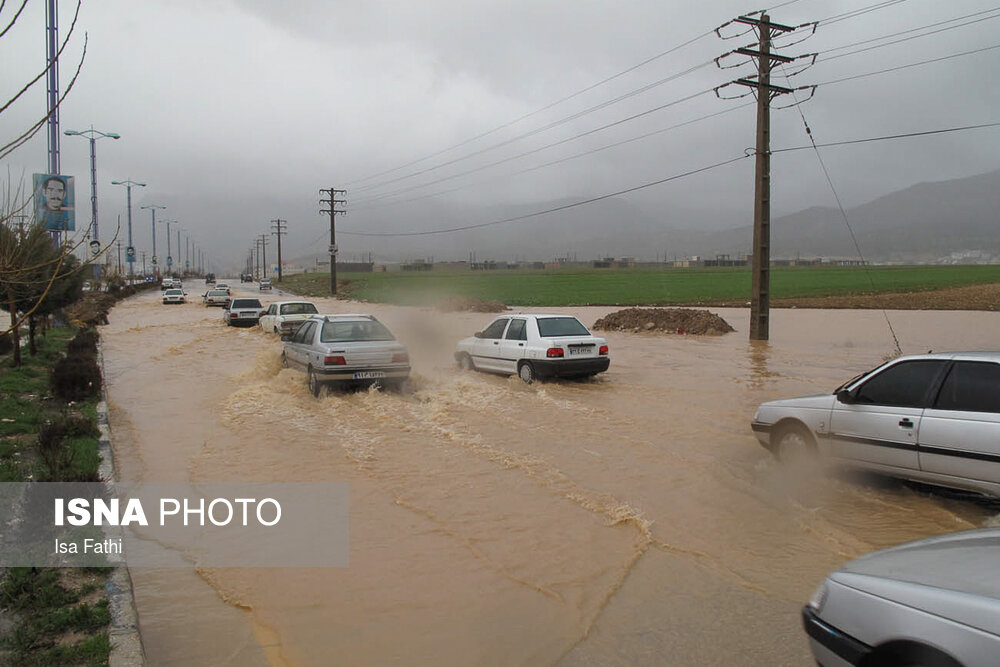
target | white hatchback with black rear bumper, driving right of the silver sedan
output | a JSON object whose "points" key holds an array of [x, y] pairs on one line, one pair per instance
{"points": [[535, 346]]}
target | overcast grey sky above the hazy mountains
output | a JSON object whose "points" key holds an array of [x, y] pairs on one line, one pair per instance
{"points": [[236, 112]]}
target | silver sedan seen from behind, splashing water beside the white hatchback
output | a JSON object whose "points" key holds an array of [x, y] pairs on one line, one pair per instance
{"points": [[346, 350]]}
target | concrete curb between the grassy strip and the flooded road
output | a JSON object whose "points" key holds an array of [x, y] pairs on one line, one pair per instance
{"points": [[126, 642]]}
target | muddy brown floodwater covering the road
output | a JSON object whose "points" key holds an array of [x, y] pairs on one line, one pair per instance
{"points": [[629, 520]]}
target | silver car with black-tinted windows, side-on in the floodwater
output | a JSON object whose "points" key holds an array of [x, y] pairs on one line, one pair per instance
{"points": [[932, 418]]}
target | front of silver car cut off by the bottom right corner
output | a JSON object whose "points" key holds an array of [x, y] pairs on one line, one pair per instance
{"points": [[932, 603]]}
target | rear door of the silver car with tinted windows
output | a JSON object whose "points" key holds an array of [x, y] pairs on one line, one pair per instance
{"points": [[960, 432]]}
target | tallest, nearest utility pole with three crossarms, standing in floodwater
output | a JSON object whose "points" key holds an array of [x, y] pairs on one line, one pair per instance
{"points": [[760, 299]]}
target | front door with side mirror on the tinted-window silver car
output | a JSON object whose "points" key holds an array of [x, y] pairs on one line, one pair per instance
{"points": [[881, 424]]}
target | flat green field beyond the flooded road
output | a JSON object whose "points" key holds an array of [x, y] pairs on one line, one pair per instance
{"points": [[673, 286]]}
